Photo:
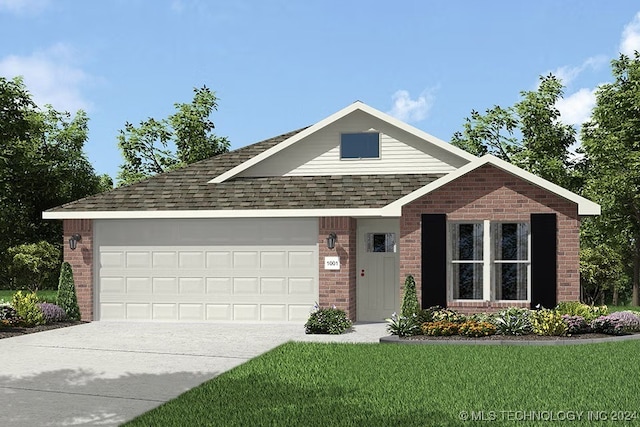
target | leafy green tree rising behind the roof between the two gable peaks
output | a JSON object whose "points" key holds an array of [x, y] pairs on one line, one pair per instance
{"points": [[528, 134]]}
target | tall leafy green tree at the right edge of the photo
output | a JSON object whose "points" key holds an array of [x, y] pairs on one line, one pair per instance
{"points": [[611, 141]]}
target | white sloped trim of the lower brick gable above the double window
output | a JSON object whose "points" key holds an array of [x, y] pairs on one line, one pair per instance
{"points": [[585, 206]]}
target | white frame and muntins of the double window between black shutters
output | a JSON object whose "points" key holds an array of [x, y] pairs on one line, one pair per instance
{"points": [[488, 262]]}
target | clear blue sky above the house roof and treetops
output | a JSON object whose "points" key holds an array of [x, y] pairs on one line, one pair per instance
{"points": [[280, 65]]}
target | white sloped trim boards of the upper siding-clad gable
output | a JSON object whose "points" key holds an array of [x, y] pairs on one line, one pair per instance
{"points": [[382, 119]]}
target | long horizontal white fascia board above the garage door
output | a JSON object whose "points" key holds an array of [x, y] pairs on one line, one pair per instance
{"points": [[229, 213]]}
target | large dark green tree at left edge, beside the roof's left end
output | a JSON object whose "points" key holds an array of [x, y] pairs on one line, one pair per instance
{"points": [[42, 165]]}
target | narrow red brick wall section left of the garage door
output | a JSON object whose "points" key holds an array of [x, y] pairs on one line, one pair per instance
{"points": [[81, 260]]}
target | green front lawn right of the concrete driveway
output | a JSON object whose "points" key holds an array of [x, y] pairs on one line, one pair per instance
{"points": [[405, 385]]}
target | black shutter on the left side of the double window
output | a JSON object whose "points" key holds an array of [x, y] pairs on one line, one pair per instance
{"points": [[434, 260]]}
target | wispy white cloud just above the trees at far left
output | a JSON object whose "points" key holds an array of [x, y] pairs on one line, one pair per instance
{"points": [[51, 76]]}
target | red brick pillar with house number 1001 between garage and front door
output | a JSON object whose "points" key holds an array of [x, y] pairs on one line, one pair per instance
{"points": [[338, 287]]}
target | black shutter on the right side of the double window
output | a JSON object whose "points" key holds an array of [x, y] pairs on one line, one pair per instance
{"points": [[544, 269]]}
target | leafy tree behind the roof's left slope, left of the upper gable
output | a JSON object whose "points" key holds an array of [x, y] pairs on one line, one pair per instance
{"points": [[149, 148]]}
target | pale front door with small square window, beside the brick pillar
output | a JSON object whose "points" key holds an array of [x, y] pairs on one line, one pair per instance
{"points": [[378, 284]]}
